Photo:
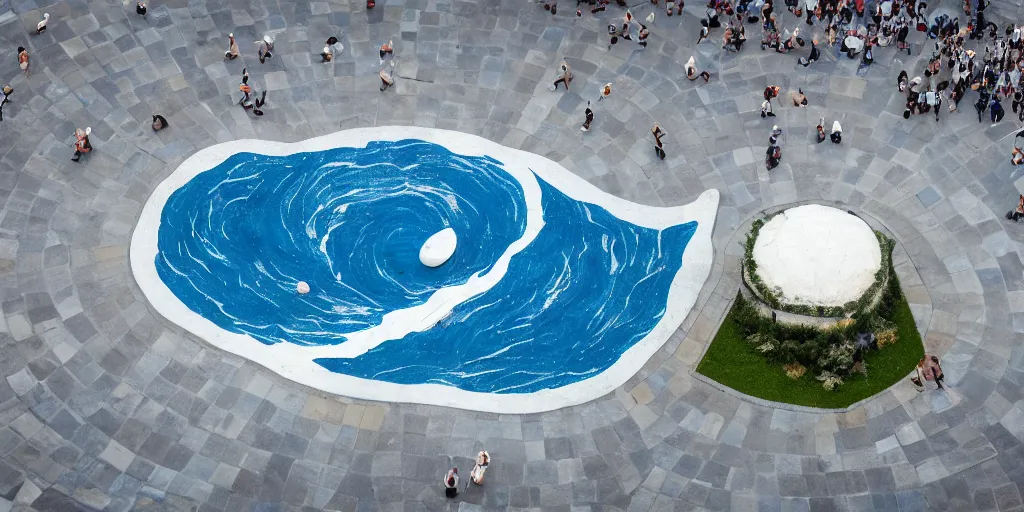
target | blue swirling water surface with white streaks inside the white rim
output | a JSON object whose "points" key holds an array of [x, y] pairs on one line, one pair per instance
{"points": [[236, 240]]}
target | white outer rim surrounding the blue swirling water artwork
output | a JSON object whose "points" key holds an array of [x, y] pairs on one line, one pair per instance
{"points": [[294, 364]]}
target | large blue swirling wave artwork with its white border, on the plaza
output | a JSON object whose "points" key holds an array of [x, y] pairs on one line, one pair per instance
{"points": [[557, 292]]}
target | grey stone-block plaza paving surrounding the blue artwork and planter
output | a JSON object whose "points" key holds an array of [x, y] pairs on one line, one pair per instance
{"points": [[106, 406]]}
